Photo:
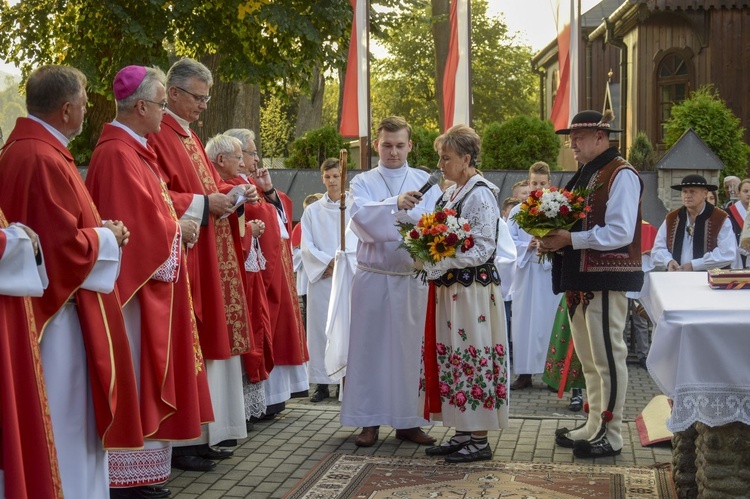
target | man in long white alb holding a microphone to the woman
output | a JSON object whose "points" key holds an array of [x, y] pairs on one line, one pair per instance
{"points": [[388, 302]]}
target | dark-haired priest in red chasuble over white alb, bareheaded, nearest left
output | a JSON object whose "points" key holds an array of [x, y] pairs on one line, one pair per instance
{"points": [[85, 353]]}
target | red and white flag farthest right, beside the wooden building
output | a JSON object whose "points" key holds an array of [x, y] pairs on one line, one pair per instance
{"points": [[566, 100]]}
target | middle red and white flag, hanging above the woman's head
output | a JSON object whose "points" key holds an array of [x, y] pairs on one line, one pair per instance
{"points": [[456, 85]]}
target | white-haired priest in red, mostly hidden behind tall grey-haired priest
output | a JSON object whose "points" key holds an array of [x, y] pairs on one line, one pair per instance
{"points": [[225, 152]]}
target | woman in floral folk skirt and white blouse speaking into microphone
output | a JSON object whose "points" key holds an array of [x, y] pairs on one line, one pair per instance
{"points": [[465, 361]]}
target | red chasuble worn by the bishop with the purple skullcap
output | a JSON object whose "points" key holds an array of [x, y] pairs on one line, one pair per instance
{"points": [[124, 185]]}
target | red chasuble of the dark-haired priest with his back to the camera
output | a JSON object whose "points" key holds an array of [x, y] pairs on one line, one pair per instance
{"points": [[41, 187]]}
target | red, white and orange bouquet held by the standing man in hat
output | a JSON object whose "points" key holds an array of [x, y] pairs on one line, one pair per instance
{"points": [[548, 209]]}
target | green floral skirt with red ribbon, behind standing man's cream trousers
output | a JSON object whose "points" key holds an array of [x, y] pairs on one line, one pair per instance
{"points": [[558, 367]]}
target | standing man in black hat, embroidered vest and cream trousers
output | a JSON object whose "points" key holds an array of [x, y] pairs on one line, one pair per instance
{"points": [[596, 263]]}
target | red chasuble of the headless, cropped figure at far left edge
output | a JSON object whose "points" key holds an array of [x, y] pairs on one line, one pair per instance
{"points": [[27, 449]]}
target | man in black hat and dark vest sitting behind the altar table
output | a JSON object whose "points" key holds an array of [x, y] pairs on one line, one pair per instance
{"points": [[696, 236]]}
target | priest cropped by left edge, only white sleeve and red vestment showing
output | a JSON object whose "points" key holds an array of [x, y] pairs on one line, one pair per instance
{"points": [[28, 461]]}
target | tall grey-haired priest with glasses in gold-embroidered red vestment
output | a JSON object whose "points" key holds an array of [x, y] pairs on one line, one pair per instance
{"points": [[214, 265]]}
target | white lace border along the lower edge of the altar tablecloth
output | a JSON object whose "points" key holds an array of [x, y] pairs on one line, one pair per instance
{"points": [[713, 405]]}
